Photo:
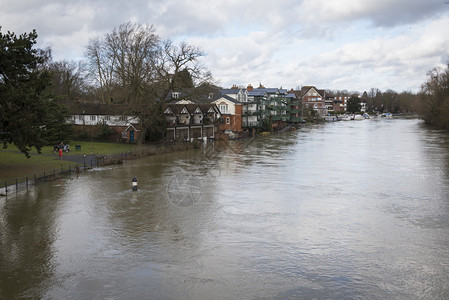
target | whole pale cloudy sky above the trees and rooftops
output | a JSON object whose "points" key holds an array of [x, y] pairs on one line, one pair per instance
{"points": [[352, 45]]}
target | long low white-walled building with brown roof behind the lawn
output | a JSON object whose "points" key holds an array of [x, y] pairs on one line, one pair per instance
{"points": [[87, 117]]}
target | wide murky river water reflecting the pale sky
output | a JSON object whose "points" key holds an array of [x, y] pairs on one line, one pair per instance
{"points": [[354, 210]]}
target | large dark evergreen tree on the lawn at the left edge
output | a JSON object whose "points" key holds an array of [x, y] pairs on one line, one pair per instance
{"points": [[29, 117]]}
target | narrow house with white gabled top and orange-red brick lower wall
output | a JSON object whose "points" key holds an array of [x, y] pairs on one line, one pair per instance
{"points": [[231, 114]]}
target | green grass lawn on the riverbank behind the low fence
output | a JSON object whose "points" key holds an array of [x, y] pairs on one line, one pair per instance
{"points": [[14, 164]]}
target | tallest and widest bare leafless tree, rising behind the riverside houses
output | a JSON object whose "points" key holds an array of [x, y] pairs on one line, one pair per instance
{"points": [[131, 64]]}
